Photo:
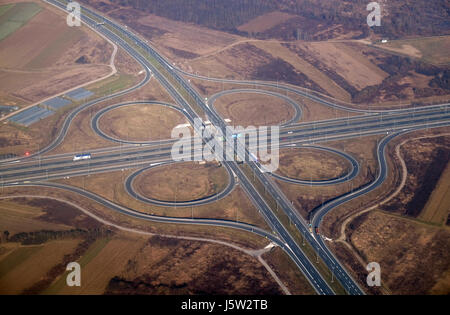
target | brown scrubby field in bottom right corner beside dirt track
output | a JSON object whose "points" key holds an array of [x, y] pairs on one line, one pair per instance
{"points": [[414, 257]]}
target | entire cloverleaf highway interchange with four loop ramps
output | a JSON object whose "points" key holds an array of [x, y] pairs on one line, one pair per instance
{"points": [[38, 169]]}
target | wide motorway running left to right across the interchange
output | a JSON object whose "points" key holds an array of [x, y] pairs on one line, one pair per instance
{"points": [[134, 156]]}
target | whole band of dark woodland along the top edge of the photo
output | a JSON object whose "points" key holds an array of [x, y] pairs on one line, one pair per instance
{"points": [[409, 17]]}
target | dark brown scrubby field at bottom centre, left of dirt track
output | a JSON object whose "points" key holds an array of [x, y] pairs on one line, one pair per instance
{"points": [[165, 266]]}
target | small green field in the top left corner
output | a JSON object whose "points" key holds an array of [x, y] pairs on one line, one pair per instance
{"points": [[14, 16]]}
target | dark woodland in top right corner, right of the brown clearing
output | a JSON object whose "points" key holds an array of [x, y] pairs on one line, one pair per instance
{"points": [[409, 17]]}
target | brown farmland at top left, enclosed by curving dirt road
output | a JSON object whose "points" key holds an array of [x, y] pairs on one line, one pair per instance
{"points": [[39, 59]]}
